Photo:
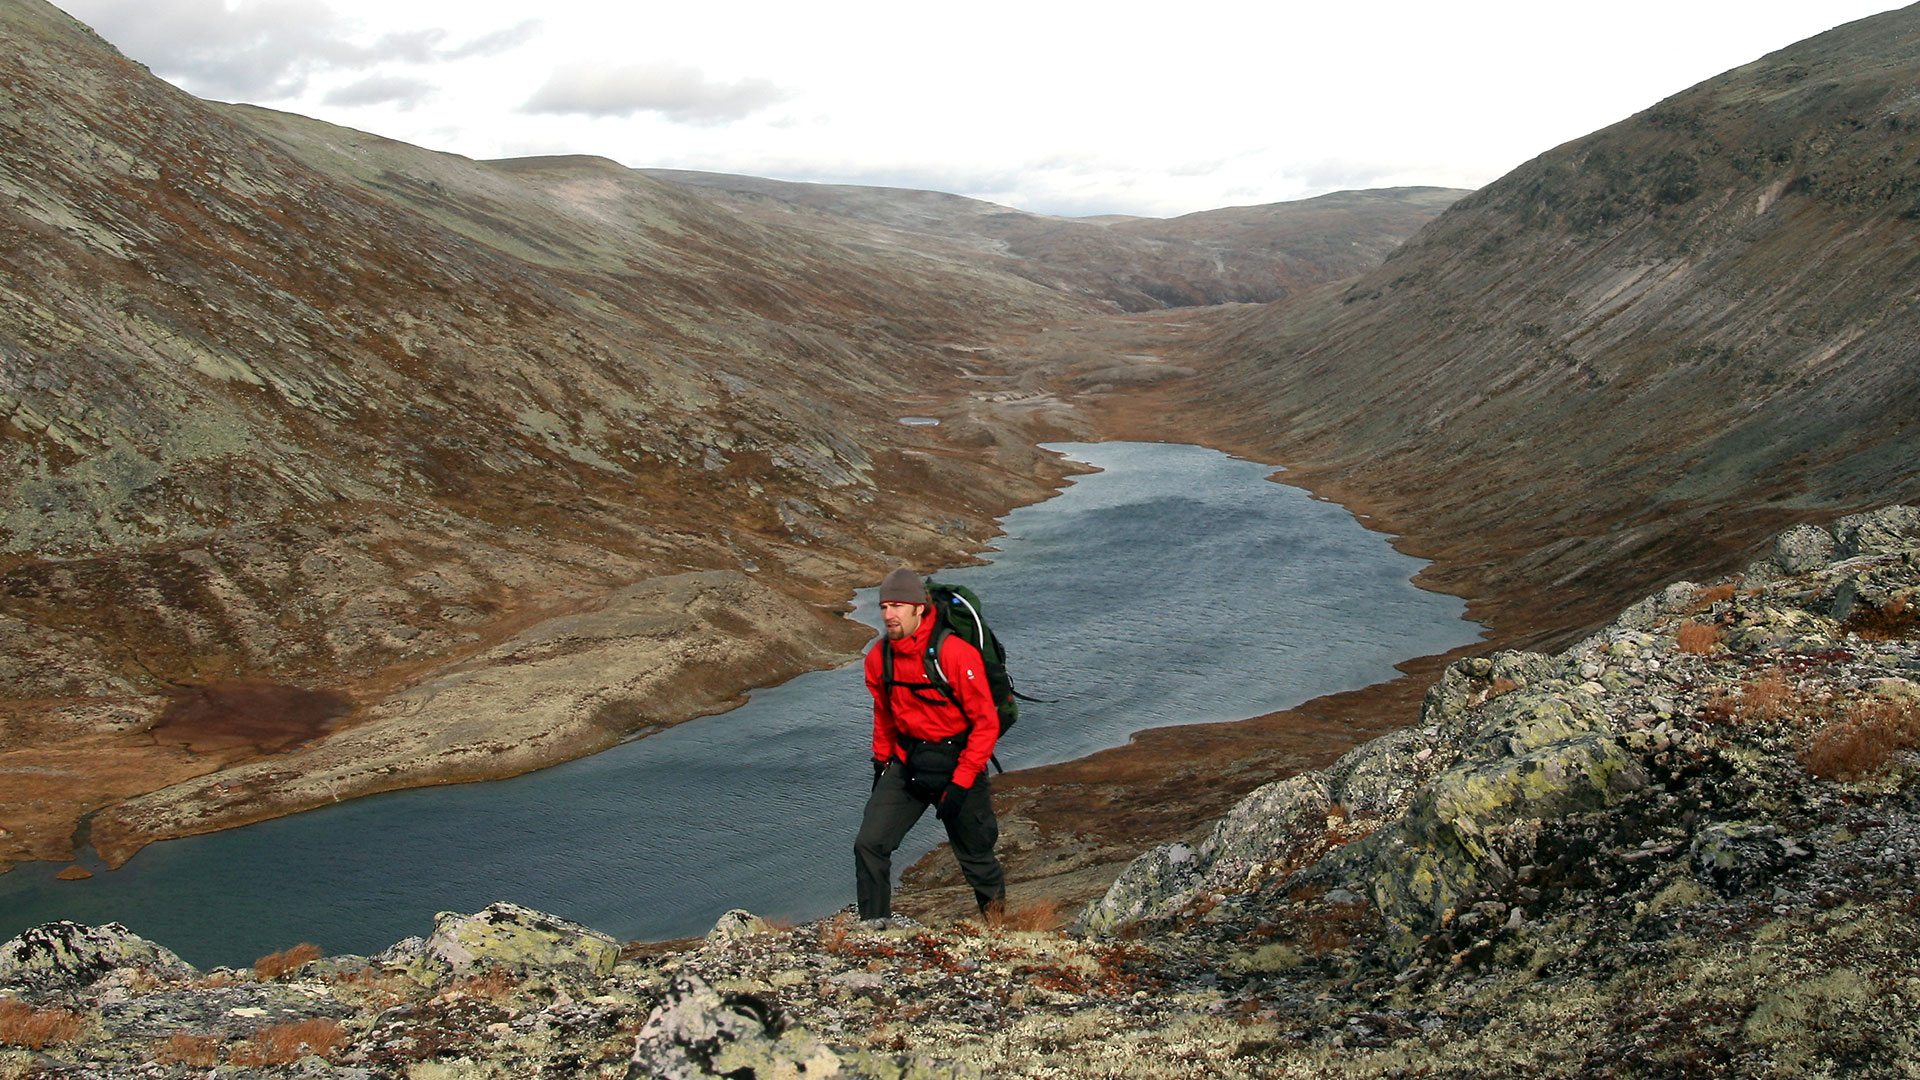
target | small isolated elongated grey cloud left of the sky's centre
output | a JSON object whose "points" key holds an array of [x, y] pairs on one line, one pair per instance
{"points": [[679, 93]]}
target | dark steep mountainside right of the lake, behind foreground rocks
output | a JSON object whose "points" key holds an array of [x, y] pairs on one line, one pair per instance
{"points": [[1635, 356]]}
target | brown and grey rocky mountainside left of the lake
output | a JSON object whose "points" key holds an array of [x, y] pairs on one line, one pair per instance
{"points": [[333, 466]]}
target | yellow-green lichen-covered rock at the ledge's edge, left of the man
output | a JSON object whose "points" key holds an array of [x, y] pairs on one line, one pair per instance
{"points": [[517, 939]]}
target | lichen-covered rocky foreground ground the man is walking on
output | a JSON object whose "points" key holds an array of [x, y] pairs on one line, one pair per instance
{"points": [[1687, 847]]}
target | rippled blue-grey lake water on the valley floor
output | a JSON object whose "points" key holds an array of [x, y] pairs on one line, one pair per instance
{"points": [[1174, 587]]}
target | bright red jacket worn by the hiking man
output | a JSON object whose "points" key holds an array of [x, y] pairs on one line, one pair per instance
{"points": [[930, 716]]}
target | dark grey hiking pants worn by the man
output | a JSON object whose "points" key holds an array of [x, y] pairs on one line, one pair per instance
{"points": [[892, 810]]}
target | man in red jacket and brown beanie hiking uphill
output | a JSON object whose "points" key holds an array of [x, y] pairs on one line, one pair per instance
{"points": [[930, 749]]}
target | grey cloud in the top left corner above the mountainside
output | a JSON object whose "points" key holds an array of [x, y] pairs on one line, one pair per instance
{"points": [[270, 49]]}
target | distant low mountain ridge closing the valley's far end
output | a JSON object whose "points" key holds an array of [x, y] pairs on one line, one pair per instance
{"points": [[1245, 255]]}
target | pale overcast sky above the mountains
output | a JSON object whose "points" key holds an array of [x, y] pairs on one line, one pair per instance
{"points": [[1049, 107]]}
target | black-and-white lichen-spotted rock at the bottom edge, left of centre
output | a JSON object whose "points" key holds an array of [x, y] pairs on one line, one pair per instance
{"points": [[702, 1033]]}
